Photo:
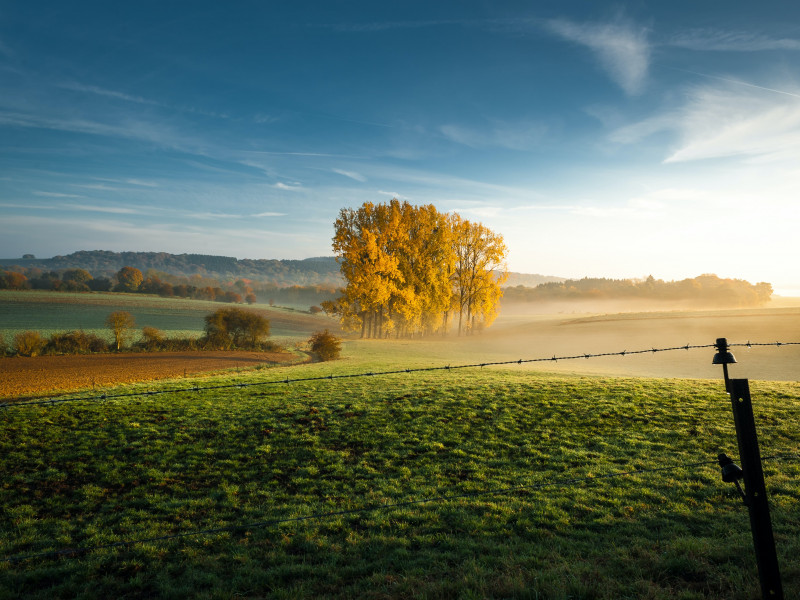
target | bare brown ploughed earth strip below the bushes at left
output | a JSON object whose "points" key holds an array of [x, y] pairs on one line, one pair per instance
{"points": [[41, 375]]}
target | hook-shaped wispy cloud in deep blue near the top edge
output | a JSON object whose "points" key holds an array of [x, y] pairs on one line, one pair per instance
{"points": [[621, 47]]}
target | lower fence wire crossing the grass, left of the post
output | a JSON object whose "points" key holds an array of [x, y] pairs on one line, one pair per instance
{"points": [[570, 482]]}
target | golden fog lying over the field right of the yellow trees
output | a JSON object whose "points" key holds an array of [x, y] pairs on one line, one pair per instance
{"points": [[598, 327]]}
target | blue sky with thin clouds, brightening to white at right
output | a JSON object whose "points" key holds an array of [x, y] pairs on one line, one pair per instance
{"points": [[612, 140]]}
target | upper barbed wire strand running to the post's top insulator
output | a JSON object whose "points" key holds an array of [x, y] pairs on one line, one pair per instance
{"points": [[40, 401]]}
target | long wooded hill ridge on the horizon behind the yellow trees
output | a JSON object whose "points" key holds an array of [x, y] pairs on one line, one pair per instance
{"points": [[320, 270]]}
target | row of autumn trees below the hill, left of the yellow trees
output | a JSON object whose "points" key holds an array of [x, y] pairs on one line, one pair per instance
{"points": [[132, 280]]}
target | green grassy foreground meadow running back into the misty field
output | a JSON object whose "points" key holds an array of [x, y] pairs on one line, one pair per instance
{"points": [[571, 479]]}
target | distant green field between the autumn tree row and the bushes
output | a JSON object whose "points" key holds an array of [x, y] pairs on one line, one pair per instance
{"points": [[50, 312]]}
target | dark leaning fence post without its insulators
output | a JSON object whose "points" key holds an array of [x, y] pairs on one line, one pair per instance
{"points": [[755, 490]]}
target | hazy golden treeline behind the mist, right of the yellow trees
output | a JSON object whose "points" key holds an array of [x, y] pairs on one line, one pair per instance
{"points": [[705, 290]]}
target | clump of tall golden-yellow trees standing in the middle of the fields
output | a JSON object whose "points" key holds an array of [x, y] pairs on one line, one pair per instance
{"points": [[411, 270]]}
